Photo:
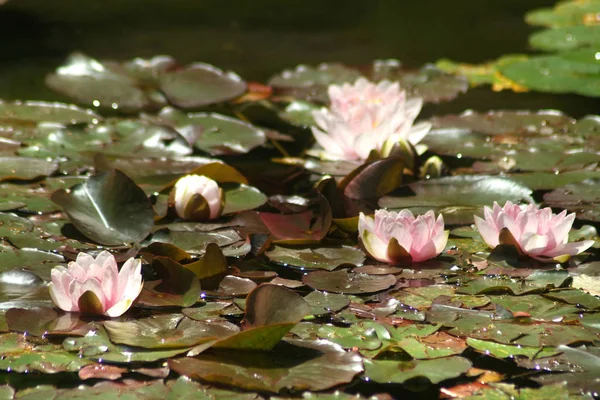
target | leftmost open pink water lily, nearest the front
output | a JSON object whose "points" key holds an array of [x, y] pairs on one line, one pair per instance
{"points": [[95, 285]]}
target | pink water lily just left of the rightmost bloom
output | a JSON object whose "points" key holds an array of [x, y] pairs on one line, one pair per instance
{"points": [[399, 237]]}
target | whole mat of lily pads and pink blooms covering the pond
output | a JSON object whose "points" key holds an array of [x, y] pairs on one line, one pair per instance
{"points": [[183, 233]]}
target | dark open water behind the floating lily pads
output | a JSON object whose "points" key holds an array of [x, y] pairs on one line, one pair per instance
{"points": [[257, 38]]}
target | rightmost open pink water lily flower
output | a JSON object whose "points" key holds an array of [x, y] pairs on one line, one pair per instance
{"points": [[539, 233]]}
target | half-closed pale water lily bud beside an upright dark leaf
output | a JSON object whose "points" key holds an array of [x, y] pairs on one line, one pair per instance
{"points": [[197, 198]]}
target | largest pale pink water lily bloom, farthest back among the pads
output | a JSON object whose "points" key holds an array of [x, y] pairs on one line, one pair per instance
{"points": [[363, 116]]}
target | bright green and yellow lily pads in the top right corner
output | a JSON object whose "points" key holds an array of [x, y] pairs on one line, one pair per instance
{"points": [[570, 39]]}
